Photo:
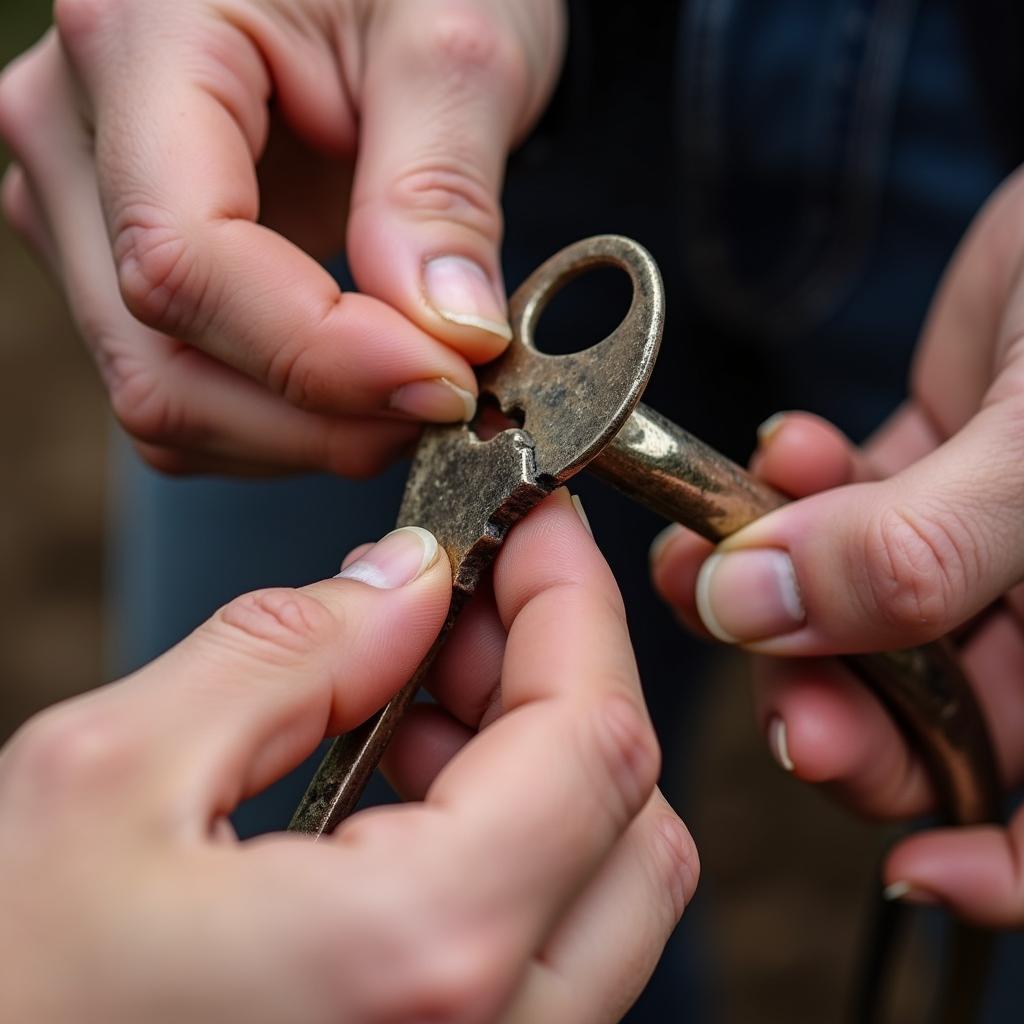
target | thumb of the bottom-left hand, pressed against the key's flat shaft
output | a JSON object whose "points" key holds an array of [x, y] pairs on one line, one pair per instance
{"points": [[259, 687]]}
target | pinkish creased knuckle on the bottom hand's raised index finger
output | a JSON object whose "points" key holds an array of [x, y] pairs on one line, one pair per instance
{"points": [[628, 755]]}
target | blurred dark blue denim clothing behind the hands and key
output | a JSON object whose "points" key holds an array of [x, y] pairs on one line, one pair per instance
{"points": [[802, 173]]}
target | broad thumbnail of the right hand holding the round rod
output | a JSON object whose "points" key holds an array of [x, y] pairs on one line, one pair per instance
{"points": [[749, 595]]}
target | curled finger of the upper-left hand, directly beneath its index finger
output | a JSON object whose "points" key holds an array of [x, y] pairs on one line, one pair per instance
{"points": [[166, 395]]}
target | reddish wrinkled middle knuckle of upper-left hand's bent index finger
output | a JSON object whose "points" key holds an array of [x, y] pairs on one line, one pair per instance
{"points": [[157, 275]]}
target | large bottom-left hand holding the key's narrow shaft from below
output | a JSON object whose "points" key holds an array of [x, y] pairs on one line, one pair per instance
{"points": [[537, 879]]}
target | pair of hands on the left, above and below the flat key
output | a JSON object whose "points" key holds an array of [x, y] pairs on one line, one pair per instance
{"points": [[182, 214]]}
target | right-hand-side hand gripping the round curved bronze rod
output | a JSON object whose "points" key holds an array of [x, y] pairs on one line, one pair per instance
{"points": [[875, 565]]}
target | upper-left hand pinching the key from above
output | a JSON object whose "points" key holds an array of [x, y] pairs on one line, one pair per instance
{"points": [[179, 167]]}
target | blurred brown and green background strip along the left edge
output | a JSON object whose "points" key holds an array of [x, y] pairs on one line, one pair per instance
{"points": [[53, 443]]}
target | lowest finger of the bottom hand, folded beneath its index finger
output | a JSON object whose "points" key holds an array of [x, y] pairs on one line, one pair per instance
{"points": [[639, 897]]}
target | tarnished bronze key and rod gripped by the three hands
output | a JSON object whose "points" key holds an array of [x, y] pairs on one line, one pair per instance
{"points": [[579, 410]]}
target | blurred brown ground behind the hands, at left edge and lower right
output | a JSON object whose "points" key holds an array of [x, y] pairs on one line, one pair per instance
{"points": [[791, 875]]}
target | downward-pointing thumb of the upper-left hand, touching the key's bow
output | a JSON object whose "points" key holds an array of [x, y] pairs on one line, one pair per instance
{"points": [[448, 88]]}
